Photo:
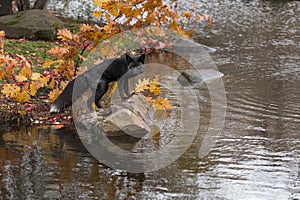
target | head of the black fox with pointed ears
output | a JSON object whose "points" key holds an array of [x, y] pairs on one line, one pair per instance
{"points": [[135, 65]]}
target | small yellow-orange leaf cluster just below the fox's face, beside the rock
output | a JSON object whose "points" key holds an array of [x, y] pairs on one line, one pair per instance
{"points": [[151, 89]]}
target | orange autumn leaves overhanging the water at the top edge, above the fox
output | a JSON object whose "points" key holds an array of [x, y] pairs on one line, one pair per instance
{"points": [[141, 13]]}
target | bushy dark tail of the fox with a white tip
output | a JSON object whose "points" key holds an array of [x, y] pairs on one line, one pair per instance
{"points": [[64, 100]]}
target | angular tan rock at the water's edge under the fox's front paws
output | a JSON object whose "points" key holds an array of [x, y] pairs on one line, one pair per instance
{"points": [[131, 118]]}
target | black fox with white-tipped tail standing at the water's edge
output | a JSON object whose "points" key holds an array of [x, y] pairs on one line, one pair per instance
{"points": [[118, 69]]}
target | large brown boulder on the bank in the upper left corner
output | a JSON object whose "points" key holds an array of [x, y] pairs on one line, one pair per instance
{"points": [[31, 24]]}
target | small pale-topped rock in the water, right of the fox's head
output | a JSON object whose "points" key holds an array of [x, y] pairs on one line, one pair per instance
{"points": [[193, 76]]}
